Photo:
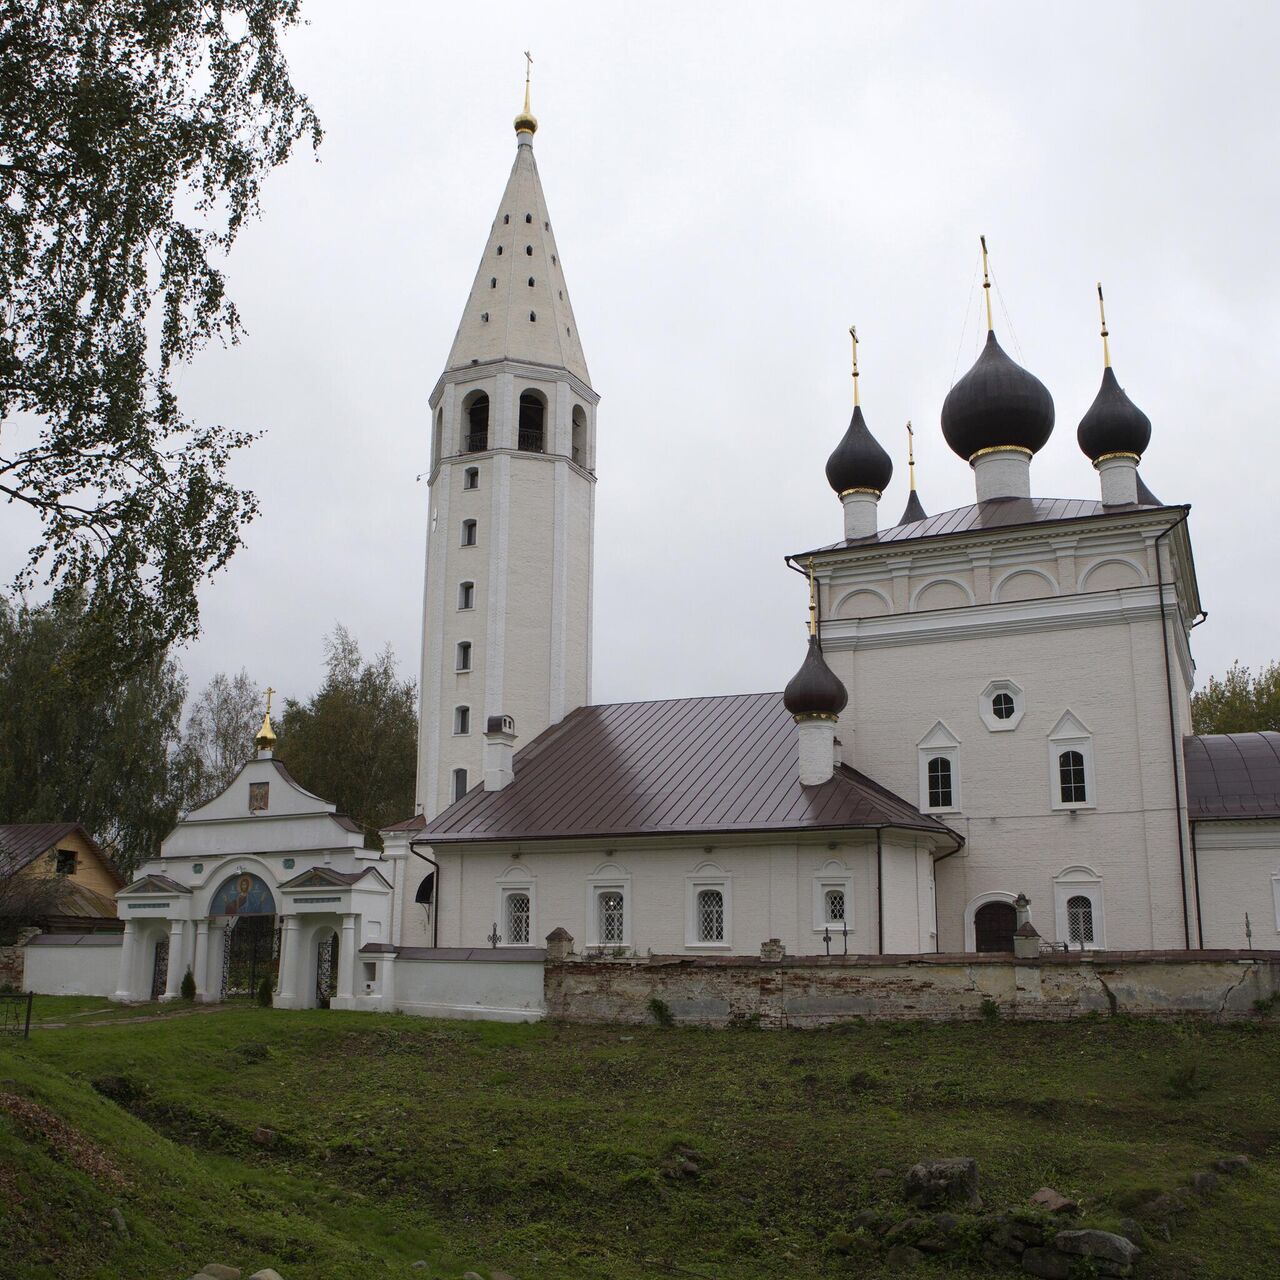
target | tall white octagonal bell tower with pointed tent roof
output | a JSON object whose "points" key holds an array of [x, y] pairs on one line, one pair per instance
{"points": [[508, 609]]}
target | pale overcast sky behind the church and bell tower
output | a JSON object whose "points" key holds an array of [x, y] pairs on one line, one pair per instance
{"points": [[732, 188]]}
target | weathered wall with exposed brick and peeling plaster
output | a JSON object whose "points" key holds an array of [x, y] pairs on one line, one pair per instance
{"points": [[820, 991]]}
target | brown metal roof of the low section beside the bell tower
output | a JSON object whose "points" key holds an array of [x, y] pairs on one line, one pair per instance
{"points": [[689, 765]]}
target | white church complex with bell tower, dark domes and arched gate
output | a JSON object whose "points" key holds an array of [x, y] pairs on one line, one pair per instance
{"points": [[991, 723]]}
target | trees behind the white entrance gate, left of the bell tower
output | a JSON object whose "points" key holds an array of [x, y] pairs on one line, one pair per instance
{"points": [[125, 751]]}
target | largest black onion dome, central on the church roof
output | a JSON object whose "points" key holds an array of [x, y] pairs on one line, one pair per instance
{"points": [[998, 405]]}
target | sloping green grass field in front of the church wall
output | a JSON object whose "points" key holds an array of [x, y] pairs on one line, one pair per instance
{"points": [[548, 1151]]}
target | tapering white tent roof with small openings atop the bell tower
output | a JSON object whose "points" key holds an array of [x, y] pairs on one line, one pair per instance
{"points": [[519, 307]]}
